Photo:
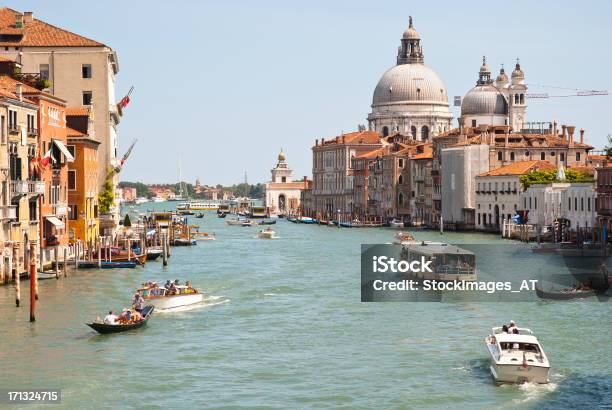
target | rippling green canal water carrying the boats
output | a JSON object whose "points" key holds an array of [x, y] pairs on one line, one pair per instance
{"points": [[283, 327]]}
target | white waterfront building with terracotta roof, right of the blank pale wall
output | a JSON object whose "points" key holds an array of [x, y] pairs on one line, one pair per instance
{"points": [[498, 193]]}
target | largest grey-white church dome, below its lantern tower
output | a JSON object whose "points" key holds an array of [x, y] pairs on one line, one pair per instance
{"points": [[405, 83]]}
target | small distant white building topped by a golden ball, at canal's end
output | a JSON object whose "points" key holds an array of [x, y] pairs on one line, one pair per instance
{"points": [[282, 194]]}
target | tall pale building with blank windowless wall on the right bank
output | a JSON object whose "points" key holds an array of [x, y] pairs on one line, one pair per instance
{"points": [[461, 164]]}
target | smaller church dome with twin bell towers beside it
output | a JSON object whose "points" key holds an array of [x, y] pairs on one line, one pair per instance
{"points": [[496, 103]]}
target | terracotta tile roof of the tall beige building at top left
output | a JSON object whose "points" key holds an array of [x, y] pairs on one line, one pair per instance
{"points": [[37, 33]]}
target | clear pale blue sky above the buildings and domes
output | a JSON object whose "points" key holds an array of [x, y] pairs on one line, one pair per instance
{"points": [[221, 87]]}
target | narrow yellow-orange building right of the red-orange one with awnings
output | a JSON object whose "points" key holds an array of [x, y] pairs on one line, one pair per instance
{"points": [[82, 177]]}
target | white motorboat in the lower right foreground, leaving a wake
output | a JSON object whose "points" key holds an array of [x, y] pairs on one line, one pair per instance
{"points": [[517, 358]]}
